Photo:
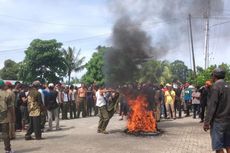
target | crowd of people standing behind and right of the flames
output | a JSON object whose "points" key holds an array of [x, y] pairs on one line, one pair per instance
{"points": [[169, 101]]}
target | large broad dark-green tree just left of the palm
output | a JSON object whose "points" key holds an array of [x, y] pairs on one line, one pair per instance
{"points": [[44, 60]]}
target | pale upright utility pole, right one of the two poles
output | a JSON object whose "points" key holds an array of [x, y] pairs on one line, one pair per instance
{"points": [[206, 41]]}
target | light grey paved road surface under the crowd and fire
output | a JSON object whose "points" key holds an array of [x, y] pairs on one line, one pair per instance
{"points": [[80, 136]]}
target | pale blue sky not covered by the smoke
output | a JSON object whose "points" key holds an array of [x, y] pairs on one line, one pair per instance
{"points": [[85, 24]]}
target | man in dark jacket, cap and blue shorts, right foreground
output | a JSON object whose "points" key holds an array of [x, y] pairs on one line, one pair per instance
{"points": [[218, 112]]}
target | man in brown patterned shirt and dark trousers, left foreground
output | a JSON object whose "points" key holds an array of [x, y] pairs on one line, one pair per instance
{"points": [[35, 109]]}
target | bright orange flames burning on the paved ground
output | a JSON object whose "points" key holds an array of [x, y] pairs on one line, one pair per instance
{"points": [[140, 119]]}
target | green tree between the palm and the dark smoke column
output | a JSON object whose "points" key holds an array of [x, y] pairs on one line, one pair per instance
{"points": [[95, 67]]}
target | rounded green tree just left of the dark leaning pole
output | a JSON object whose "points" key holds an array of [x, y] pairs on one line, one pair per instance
{"points": [[179, 70]]}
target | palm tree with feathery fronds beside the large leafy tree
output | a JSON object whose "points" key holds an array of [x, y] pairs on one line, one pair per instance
{"points": [[73, 62]]}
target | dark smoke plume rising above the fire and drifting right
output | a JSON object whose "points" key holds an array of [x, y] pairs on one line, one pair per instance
{"points": [[133, 41]]}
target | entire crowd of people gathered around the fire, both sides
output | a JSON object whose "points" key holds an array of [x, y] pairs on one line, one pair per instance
{"points": [[28, 107]]}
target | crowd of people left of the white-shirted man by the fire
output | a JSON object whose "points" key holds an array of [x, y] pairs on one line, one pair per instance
{"points": [[29, 107]]}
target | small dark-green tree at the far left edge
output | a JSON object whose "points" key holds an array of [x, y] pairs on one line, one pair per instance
{"points": [[10, 70]]}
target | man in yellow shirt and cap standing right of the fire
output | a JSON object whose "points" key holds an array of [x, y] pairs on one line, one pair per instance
{"points": [[170, 100]]}
